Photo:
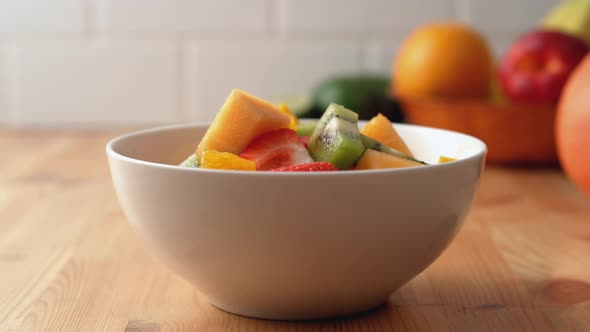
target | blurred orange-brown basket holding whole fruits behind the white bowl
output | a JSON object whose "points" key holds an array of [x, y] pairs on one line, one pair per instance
{"points": [[514, 134]]}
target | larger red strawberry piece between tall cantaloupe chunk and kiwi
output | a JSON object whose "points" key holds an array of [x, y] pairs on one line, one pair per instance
{"points": [[278, 148]]}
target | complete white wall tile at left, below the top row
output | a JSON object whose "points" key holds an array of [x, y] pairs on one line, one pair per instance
{"points": [[94, 83]]}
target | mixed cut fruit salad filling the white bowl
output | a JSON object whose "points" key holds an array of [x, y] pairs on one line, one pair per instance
{"points": [[251, 134]]}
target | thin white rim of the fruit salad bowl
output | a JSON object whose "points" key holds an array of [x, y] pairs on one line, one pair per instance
{"points": [[110, 150]]}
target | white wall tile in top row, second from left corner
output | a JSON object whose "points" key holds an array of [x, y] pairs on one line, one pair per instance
{"points": [[157, 16]]}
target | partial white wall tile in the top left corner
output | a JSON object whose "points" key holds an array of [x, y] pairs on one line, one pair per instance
{"points": [[41, 16]]}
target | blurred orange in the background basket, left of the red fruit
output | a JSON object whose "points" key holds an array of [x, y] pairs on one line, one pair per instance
{"points": [[443, 60]]}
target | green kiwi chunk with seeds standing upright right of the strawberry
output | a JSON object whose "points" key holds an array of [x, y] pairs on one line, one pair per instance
{"points": [[336, 138]]}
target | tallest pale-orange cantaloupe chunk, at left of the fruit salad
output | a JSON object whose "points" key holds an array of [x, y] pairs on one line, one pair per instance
{"points": [[241, 118]]}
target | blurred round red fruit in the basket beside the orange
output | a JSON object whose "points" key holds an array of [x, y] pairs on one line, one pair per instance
{"points": [[538, 64]]}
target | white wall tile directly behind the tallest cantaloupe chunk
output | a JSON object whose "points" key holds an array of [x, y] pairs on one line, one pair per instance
{"points": [[266, 70]]}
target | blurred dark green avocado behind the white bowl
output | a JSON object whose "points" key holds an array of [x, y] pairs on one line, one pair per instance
{"points": [[365, 94]]}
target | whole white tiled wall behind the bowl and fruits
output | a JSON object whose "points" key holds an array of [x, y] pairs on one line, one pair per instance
{"points": [[101, 63]]}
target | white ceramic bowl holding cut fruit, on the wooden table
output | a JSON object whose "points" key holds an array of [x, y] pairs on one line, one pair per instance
{"points": [[295, 245]]}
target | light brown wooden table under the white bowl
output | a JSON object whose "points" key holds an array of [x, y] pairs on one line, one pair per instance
{"points": [[70, 262]]}
